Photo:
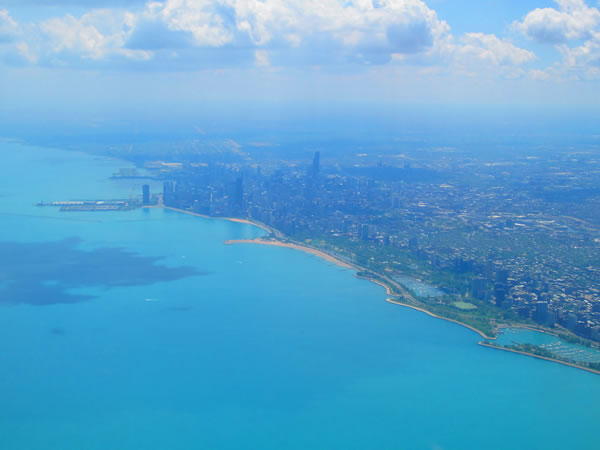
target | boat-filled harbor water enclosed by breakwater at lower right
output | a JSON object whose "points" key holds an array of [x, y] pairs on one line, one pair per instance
{"points": [[575, 352]]}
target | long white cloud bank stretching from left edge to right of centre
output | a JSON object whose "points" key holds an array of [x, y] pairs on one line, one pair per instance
{"points": [[198, 34]]}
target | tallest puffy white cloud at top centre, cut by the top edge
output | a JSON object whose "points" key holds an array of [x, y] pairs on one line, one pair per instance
{"points": [[366, 30]]}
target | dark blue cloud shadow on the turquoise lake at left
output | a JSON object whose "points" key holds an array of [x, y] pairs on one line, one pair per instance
{"points": [[43, 273]]}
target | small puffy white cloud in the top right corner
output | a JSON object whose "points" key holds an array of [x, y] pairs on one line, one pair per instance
{"points": [[573, 20]]}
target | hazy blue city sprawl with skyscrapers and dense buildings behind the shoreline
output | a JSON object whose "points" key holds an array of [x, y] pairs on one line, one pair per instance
{"points": [[504, 234]]}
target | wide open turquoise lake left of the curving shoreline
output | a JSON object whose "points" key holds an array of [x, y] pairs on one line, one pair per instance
{"points": [[141, 330]]}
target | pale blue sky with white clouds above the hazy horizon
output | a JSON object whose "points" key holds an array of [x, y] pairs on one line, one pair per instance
{"points": [[70, 56]]}
